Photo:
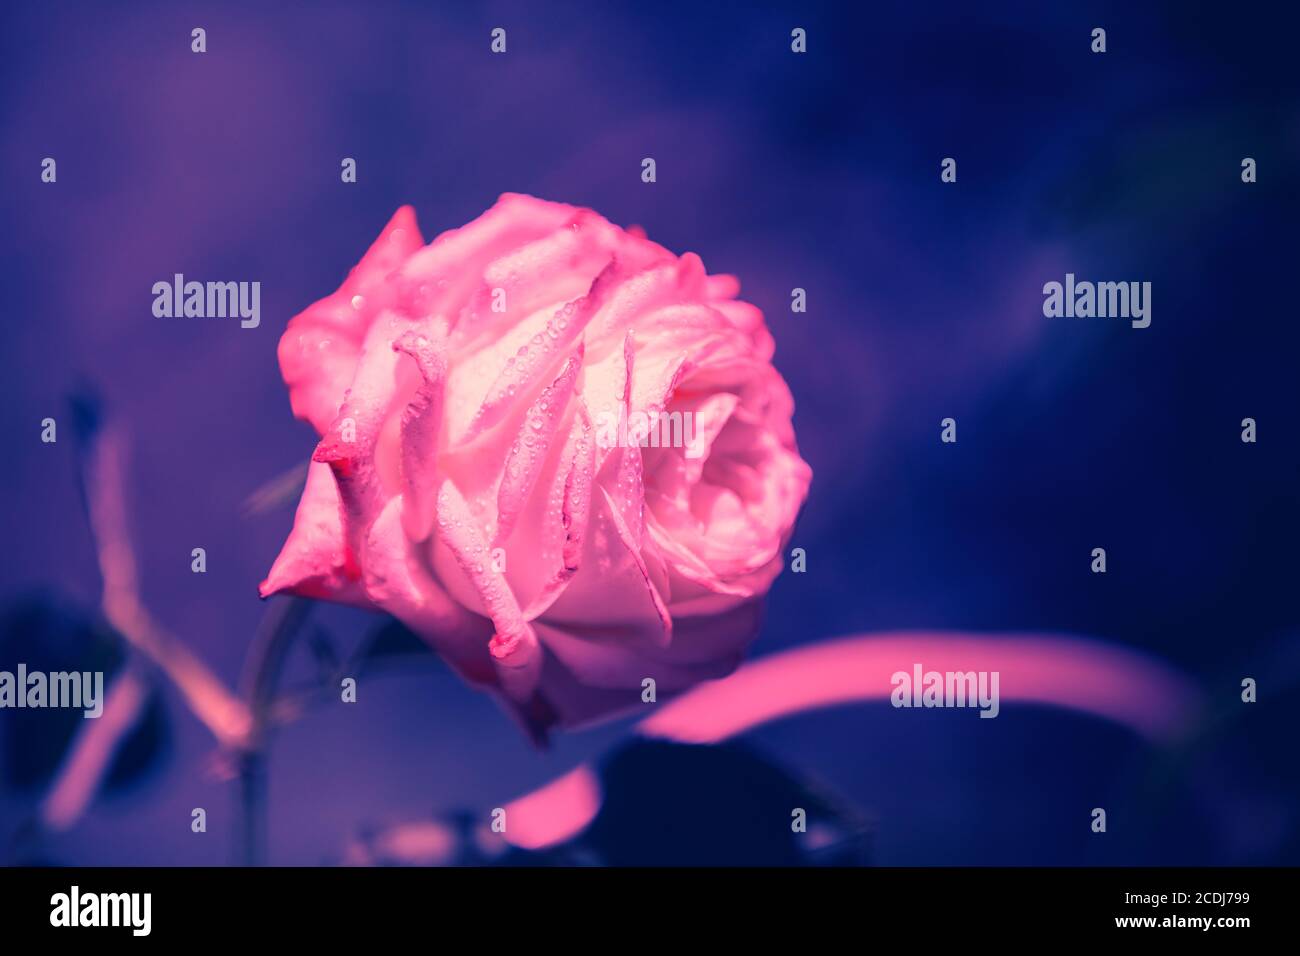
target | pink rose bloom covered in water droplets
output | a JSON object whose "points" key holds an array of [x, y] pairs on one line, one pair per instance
{"points": [[487, 477]]}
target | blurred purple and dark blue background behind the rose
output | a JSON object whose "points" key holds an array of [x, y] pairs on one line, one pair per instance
{"points": [[818, 171]]}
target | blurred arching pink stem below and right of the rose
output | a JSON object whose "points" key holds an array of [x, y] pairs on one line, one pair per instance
{"points": [[1080, 674]]}
